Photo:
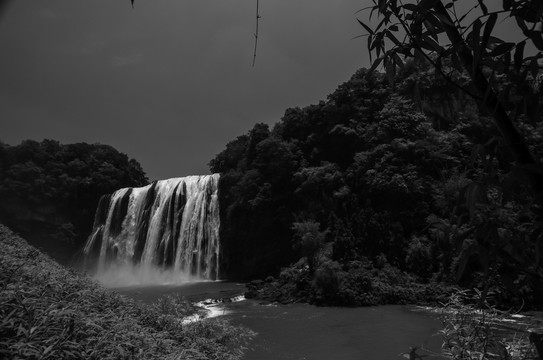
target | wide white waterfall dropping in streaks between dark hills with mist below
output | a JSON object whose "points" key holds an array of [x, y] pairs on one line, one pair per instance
{"points": [[165, 232]]}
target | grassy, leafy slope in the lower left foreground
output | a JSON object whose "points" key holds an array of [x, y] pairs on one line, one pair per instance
{"points": [[49, 312]]}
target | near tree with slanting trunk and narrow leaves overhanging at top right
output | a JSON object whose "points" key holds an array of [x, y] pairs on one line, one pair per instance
{"points": [[458, 43]]}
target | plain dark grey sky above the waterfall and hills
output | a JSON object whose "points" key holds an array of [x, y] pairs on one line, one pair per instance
{"points": [[170, 82]]}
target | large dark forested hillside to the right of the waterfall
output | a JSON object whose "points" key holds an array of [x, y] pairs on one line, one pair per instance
{"points": [[403, 171]]}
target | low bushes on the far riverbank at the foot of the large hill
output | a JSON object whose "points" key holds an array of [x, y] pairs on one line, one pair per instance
{"points": [[357, 283]]}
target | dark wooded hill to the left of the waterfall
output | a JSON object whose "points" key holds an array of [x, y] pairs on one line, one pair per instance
{"points": [[50, 191]]}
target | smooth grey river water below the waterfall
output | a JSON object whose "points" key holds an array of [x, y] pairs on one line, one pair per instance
{"points": [[305, 332]]}
